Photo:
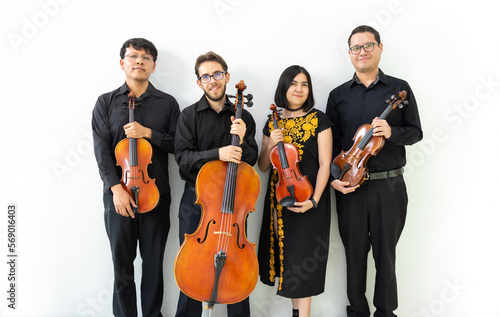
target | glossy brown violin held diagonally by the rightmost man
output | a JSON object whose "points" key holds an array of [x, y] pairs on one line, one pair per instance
{"points": [[350, 166]]}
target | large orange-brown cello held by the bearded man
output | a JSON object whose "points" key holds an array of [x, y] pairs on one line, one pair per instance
{"points": [[217, 264]]}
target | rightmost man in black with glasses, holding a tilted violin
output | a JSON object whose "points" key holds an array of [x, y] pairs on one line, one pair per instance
{"points": [[372, 215]]}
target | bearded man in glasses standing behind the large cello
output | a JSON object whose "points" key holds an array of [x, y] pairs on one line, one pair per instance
{"points": [[204, 133]]}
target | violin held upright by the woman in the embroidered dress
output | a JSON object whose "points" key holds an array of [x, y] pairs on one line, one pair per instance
{"points": [[292, 185]]}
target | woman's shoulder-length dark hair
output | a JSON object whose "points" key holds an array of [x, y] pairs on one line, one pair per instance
{"points": [[285, 82]]}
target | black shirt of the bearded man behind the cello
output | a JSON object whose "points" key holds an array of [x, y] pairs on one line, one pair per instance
{"points": [[201, 131]]}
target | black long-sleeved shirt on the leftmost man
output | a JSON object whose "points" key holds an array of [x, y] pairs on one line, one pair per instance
{"points": [[157, 110]]}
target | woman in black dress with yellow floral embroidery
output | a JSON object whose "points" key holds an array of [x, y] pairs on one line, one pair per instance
{"points": [[294, 241]]}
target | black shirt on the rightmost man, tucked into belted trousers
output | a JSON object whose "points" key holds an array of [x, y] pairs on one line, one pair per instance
{"points": [[352, 104]]}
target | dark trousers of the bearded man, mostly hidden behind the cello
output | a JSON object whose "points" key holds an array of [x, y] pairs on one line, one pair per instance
{"points": [[189, 218]]}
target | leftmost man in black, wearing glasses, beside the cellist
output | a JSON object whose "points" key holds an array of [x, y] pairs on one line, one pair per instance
{"points": [[156, 115]]}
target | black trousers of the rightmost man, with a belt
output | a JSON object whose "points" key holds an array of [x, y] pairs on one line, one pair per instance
{"points": [[372, 216]]}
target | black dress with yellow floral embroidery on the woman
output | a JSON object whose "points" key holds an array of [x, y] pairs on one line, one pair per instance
{"points": [[297, 253]]}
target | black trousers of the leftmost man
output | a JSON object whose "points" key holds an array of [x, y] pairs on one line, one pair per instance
{"points": [[150, 230]]}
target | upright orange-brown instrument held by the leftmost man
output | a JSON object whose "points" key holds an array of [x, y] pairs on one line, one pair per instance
{"points": [[133, 156]]}
